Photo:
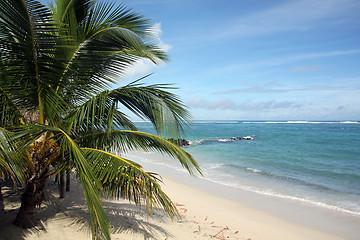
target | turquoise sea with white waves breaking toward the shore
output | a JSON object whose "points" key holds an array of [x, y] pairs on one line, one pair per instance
{"points": [[313, 162]]}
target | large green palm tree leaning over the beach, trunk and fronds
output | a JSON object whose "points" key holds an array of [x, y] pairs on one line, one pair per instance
{"points": [[56, 69]]}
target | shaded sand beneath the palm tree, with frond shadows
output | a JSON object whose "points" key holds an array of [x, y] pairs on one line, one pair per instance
{"points": [[72, 211]]}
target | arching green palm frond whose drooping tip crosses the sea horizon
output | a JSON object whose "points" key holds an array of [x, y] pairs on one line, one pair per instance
{"points": [[164, 109]]}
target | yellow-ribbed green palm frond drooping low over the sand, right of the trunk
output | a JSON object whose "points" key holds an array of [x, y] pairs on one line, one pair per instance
{"points": [[122, 178]]}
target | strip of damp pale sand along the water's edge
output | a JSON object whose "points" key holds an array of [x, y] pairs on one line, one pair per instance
{"points": [[331, 222]]}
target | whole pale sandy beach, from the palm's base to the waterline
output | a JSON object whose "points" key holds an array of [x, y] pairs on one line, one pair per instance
{"points": [[208, 211]]}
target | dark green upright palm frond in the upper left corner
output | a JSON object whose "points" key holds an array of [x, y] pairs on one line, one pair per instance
{"points": [[28, 41]]}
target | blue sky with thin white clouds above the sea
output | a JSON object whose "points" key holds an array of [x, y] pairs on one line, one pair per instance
{"points": [[259, 60]]}
